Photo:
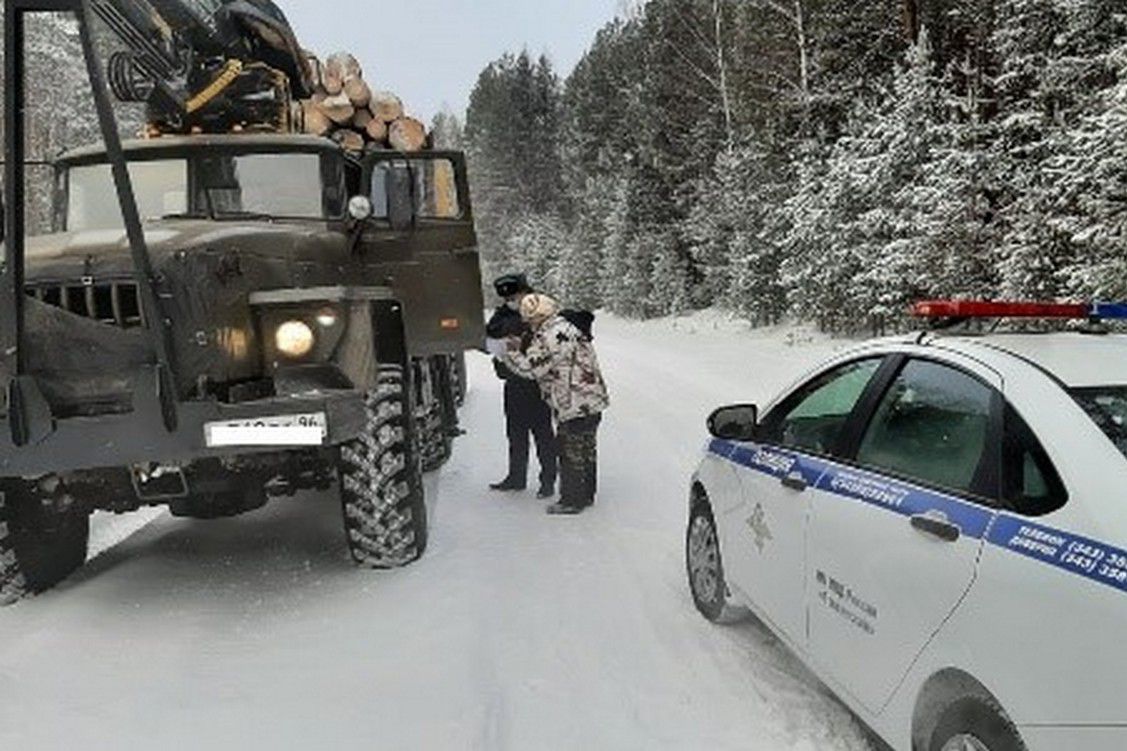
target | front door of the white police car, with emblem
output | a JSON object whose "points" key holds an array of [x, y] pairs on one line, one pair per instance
{"points": [[766, 545]]}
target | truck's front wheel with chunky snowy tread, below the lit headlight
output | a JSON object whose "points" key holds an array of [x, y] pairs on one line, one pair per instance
{"points": [[381, 481]]}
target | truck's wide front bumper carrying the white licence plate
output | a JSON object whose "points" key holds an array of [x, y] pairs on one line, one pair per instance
{"points": [[205, 430]]}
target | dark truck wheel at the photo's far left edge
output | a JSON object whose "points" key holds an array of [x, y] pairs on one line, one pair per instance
{"points": [[40, 547]]}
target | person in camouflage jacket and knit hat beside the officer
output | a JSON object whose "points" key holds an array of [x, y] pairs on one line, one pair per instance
{"points": [[562, 359]]}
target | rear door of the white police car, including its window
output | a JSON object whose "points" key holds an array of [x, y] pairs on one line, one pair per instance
{"points": [[895, 534]]}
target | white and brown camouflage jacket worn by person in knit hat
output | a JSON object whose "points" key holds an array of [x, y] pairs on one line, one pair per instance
{"points": [[563, 361]]}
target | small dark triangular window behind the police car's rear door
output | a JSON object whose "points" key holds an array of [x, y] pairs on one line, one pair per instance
{"points": [[1031, 484]]}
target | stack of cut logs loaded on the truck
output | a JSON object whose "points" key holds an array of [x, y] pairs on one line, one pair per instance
{"points": [[345, 109]]}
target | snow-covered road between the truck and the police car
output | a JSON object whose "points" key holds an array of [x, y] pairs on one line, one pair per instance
{"points": [[517, 631]]}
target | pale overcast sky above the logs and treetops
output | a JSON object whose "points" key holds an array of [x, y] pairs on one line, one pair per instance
{"points": [[430, 52]]}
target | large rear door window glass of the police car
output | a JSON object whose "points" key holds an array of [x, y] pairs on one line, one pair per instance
{"points": [[933, 426]]}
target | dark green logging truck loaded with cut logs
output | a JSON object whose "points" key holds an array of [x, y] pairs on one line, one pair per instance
{"points": [[241, 306]]}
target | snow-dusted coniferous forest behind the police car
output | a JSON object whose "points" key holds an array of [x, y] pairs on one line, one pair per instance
{"points": [[828, 161]]}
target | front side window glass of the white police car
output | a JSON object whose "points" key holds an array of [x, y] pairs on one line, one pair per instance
{"points": [[813, 419]]}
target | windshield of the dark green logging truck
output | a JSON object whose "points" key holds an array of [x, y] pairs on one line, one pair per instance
{"points": [[221, 187]]}
